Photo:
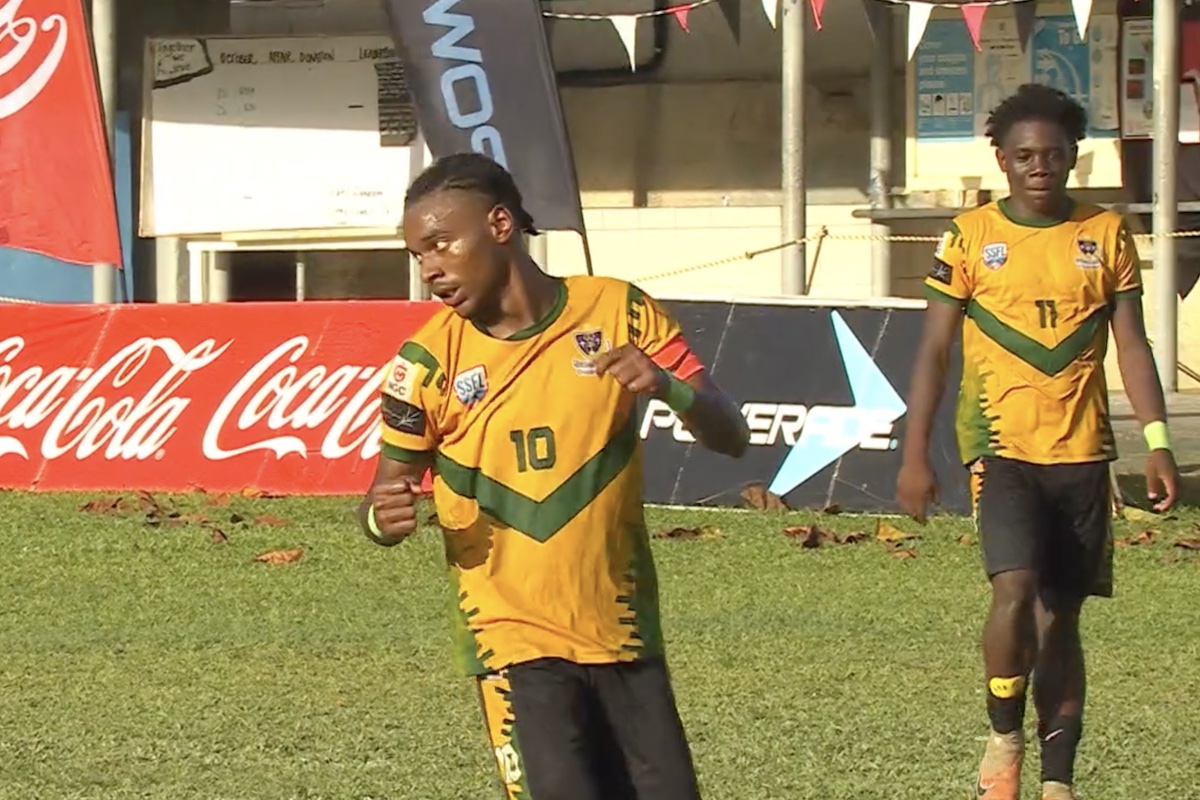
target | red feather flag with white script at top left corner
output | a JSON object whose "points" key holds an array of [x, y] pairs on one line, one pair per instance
{"points": [[56, 176]]}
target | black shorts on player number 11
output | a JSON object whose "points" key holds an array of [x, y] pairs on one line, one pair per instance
{"points": [[1055, 520]]}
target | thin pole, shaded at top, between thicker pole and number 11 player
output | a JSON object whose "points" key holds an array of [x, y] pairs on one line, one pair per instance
{"points": [[880, 181]]}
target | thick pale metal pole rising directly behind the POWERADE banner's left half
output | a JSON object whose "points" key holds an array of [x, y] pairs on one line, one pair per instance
{"points": [[793, 210]]}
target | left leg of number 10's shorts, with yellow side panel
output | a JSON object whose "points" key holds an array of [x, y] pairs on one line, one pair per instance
{"points": [[538, 723]]}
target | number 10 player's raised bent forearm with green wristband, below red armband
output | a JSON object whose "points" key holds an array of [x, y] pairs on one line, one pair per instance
{"points": [[701, 406]]}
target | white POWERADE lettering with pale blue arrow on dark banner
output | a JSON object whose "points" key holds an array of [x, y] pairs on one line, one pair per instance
{"points": [[818, 435]]}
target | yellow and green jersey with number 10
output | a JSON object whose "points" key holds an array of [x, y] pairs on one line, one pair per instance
{"points": [[538, 476]]}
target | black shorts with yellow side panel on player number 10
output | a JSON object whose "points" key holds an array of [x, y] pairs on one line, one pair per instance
{"points": [[562, 731]]}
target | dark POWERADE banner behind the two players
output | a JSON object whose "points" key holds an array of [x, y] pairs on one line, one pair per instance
{"points": [[824, 392]]}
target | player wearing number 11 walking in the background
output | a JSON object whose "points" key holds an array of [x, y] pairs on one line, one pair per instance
{"points": [[1034, 282]]}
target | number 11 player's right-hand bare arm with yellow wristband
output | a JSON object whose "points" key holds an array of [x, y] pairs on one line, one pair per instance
{"points": [[1145, 393]]}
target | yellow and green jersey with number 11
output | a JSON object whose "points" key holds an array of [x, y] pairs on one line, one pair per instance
{"points": [[1037, 302]]}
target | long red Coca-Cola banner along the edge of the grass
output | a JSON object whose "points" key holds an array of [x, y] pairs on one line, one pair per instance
{"points": [[279, 398]]}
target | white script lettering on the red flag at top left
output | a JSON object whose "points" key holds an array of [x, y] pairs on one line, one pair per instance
{"points": [[19, 35]]}
